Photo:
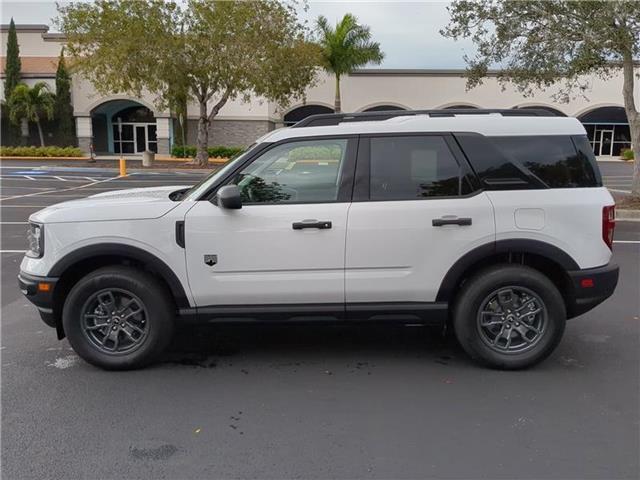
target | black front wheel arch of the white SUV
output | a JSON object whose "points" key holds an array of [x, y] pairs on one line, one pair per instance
{"points": [[73, 266]]}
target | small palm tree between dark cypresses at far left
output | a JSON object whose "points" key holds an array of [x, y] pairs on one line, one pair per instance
{"points": [[31, 105]]}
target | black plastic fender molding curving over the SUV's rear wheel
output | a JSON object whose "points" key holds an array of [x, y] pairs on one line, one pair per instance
{"points": [[535, 247]]}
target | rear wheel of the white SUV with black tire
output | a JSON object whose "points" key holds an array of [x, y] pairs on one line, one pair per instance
{"points": [[495, 340]]}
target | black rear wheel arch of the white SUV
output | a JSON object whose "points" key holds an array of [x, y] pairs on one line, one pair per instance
{"points": [[548, 259]]}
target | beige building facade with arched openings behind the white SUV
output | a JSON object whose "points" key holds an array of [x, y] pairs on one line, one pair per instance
{"points": [[123, 124]]}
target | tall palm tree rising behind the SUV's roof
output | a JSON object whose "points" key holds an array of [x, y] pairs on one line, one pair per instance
{"points": [[345, 47]]}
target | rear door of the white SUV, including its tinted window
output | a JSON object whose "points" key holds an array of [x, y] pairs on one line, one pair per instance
{"points": [[415, 213]]}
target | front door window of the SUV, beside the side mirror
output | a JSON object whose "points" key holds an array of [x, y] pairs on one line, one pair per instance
{"points": [[297, 172]]}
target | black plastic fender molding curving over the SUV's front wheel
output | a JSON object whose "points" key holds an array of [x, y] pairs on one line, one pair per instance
{"points": [[124, 251]]}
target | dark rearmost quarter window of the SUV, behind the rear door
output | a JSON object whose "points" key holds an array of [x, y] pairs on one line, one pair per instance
{"points": [[553, 159]]}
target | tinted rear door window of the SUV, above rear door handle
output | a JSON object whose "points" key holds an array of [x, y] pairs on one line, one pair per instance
{"points": [[412, 167]]}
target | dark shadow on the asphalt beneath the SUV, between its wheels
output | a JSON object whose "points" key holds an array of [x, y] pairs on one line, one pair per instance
{"points": [[208, 346]]}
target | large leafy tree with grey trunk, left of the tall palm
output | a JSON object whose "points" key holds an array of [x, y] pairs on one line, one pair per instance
{"points": [[212, 51]]}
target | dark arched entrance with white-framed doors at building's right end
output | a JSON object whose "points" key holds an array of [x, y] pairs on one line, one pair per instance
{"points": [[607, 129]]}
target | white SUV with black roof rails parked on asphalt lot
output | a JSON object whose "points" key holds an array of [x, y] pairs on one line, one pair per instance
{"points": [[495, 222]]}
